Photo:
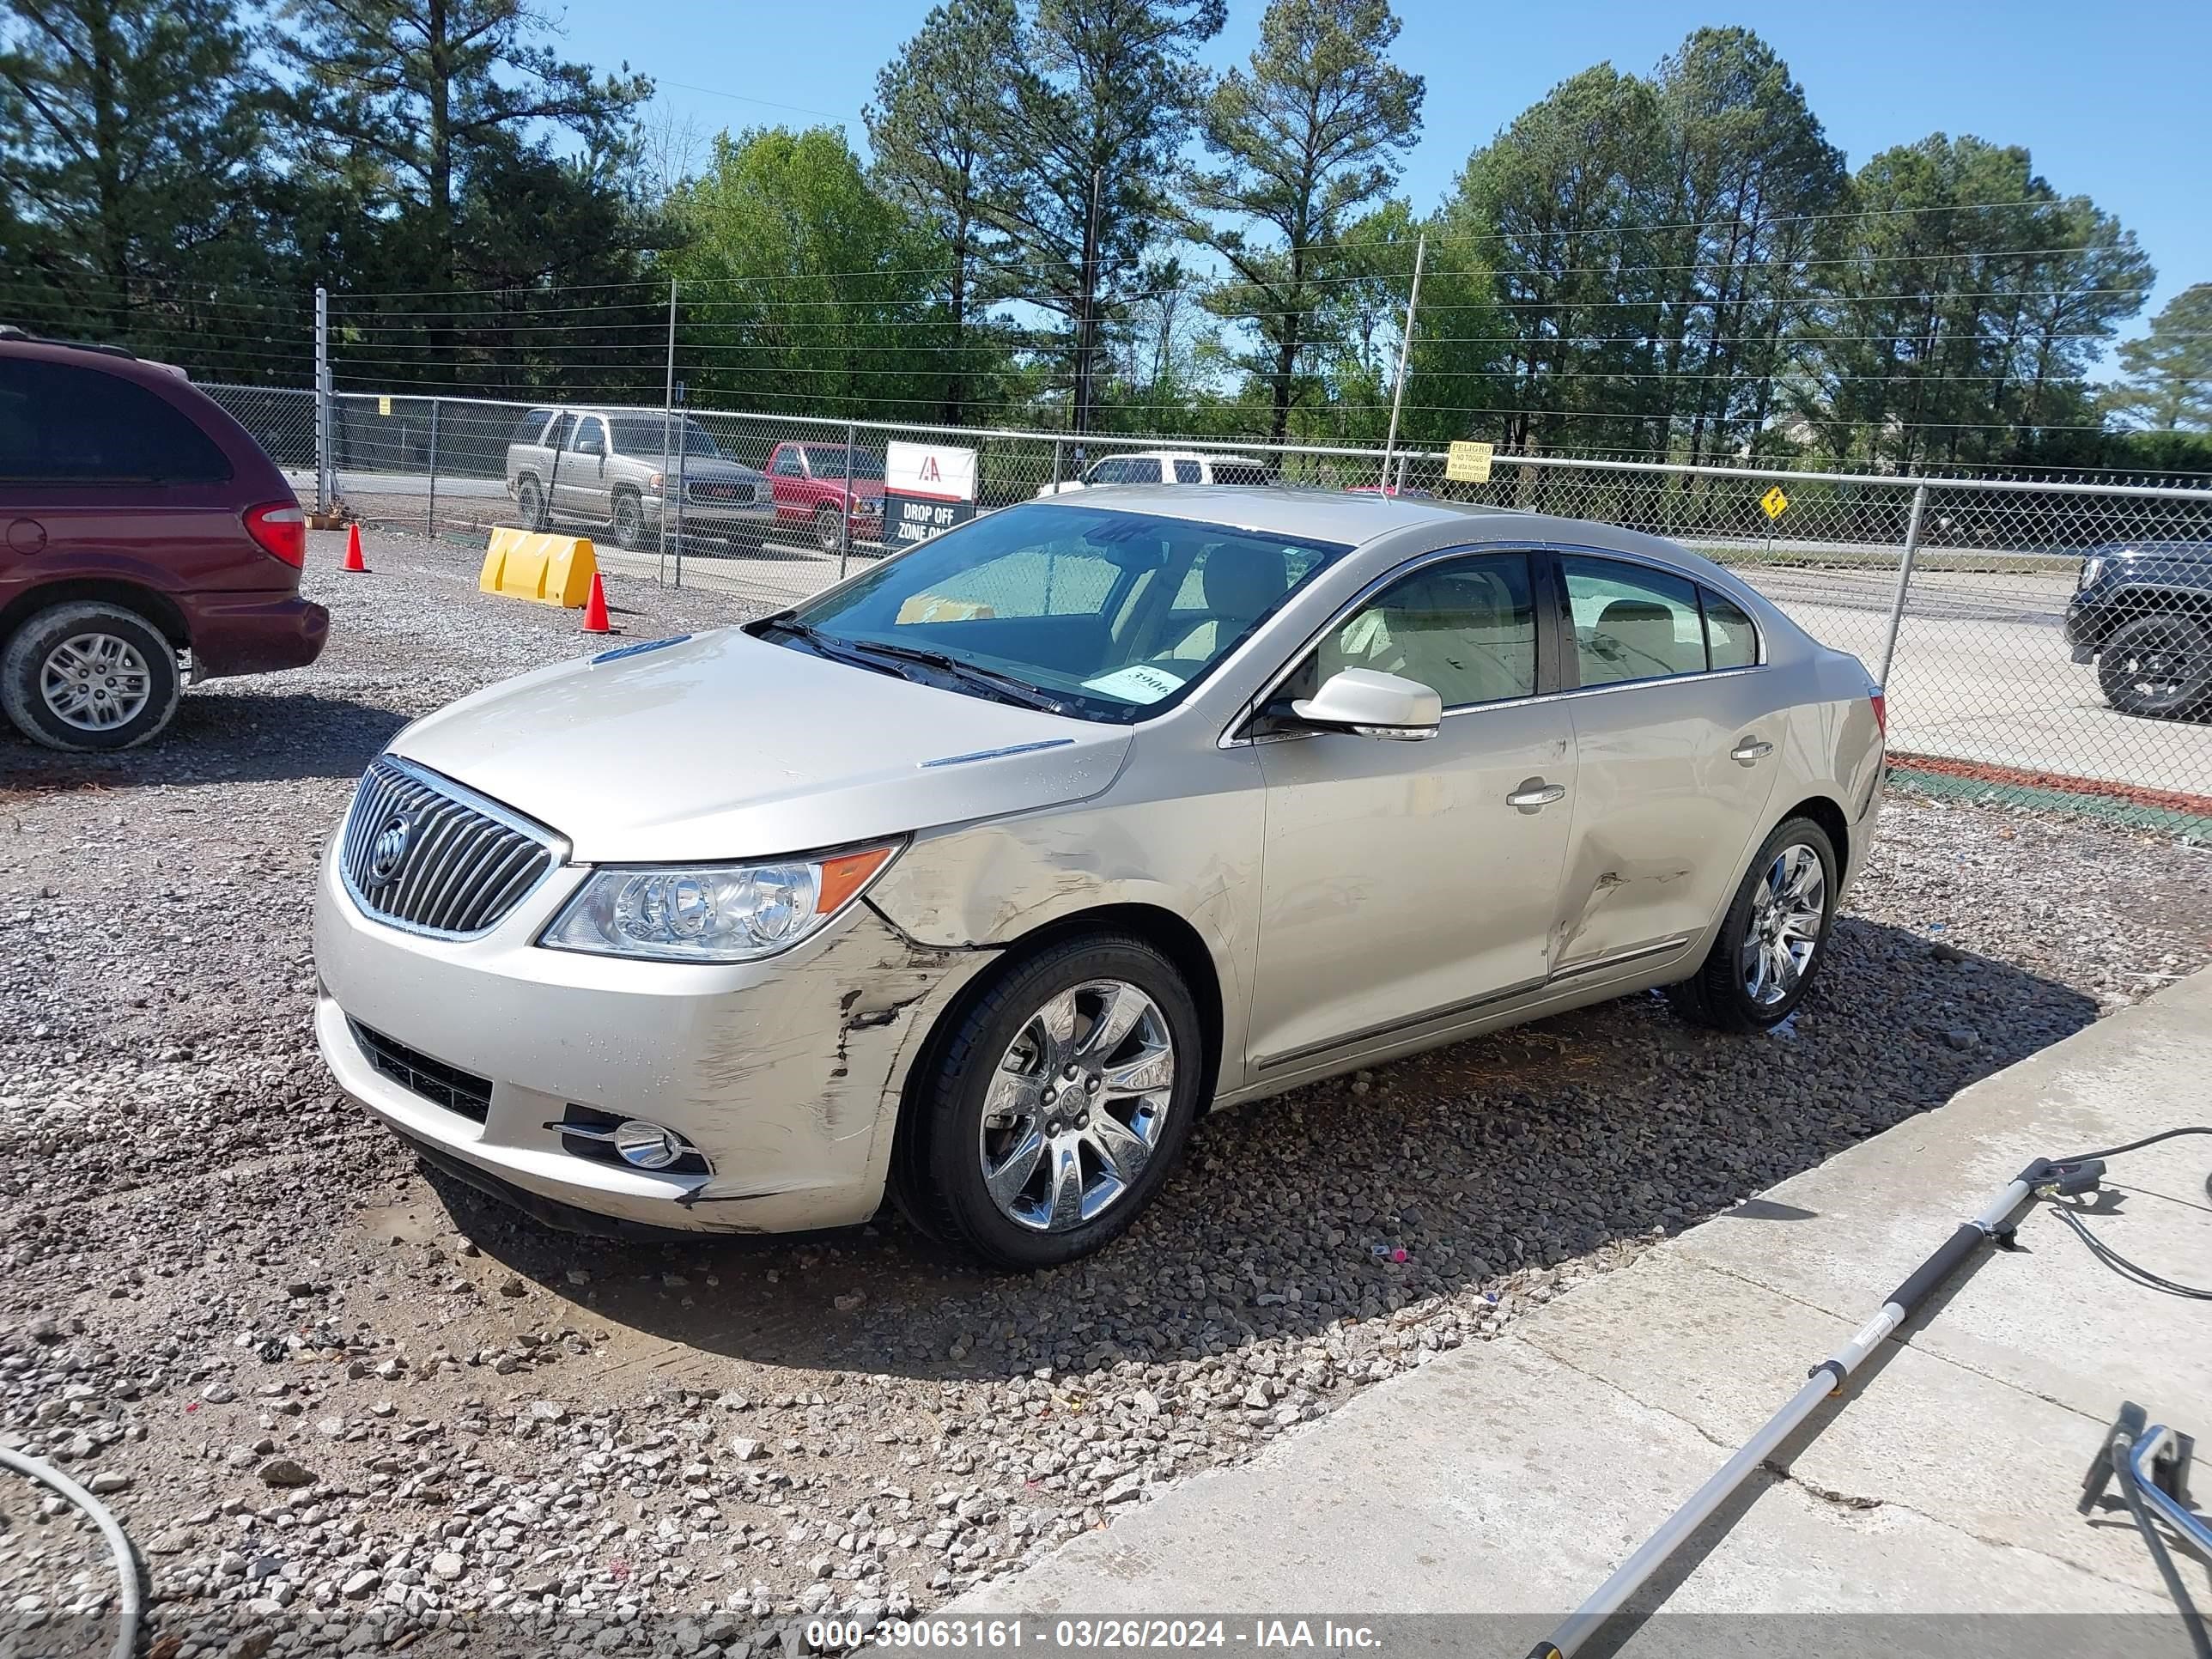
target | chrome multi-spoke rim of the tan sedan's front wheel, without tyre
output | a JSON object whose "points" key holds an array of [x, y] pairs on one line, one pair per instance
{"points": [[1078, 1105]]}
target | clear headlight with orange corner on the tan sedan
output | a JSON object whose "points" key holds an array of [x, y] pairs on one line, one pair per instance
{"points": [[711, 912]]}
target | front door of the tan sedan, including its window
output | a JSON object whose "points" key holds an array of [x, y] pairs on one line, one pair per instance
{"points": [[1408, 884]]}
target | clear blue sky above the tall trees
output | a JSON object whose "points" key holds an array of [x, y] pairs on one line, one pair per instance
{"points": [[2109, 98]]}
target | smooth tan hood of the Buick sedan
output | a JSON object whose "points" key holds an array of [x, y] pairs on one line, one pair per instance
{"points": [[724, 747]]}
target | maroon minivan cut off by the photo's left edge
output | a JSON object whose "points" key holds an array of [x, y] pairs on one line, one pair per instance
{"points": [[143, 534]]}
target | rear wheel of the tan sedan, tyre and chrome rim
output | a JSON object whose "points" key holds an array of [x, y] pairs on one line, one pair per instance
{"points": [[1773, 937]]}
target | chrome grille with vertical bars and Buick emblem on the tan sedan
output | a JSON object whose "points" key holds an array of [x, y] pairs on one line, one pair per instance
{"points": [[424, 853]]}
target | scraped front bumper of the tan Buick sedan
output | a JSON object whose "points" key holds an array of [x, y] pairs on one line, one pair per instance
{"points": [[784, 1074]]}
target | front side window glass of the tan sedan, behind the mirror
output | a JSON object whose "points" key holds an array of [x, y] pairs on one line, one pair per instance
{"points": [[1465, 629]]}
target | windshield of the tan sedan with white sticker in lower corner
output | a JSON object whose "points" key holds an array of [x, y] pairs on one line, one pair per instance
{"points": [[1116, 616]]}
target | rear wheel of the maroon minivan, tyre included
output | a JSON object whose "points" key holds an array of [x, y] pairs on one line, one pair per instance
{"points": [[90, 676]]}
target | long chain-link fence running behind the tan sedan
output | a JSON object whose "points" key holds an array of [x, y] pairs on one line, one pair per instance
{"points": [[2038, 640]]}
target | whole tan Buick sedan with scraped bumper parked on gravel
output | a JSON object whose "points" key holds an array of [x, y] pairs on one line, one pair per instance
{"points": [[981, 877]]}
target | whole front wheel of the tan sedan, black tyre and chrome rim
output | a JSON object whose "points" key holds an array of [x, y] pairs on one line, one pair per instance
{"points": [[1054, 1112]]}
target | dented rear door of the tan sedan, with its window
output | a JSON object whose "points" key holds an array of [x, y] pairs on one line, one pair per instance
{"points": [[1676, 733]]}
